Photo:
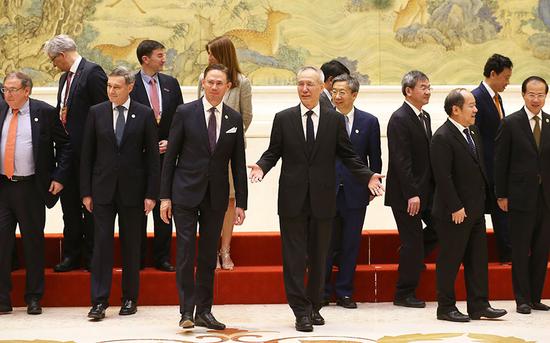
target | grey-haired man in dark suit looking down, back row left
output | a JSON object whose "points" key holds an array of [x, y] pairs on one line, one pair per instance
{"points": [[82, 85]]}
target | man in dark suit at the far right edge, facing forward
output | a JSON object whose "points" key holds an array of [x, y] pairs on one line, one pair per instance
{"points": [[522, 187]]}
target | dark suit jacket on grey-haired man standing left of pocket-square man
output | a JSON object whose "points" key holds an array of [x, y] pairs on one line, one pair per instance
{"points": [[133, 168]]}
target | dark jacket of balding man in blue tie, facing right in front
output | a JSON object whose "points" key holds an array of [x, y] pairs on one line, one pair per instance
{"points": [[460, 177]]}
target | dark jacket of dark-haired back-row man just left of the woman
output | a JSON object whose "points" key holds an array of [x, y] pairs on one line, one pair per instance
{"points": [[171, 99]]}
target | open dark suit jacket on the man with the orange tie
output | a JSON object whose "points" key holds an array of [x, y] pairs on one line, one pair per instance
{"points": [[50, 144]]}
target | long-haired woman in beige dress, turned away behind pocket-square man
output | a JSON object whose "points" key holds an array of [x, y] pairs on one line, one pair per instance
{"points": [[239, 97]]}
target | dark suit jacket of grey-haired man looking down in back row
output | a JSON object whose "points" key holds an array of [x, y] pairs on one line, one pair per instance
{"points": [[88, 87]]}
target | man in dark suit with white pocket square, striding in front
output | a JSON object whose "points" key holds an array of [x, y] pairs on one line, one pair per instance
{"points": [[206, 135]]}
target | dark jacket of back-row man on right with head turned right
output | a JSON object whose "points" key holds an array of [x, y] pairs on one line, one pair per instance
{"points": [[487, 121]]}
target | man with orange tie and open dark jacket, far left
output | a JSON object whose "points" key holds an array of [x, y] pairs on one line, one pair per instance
{"points": [[36, 155]]}
